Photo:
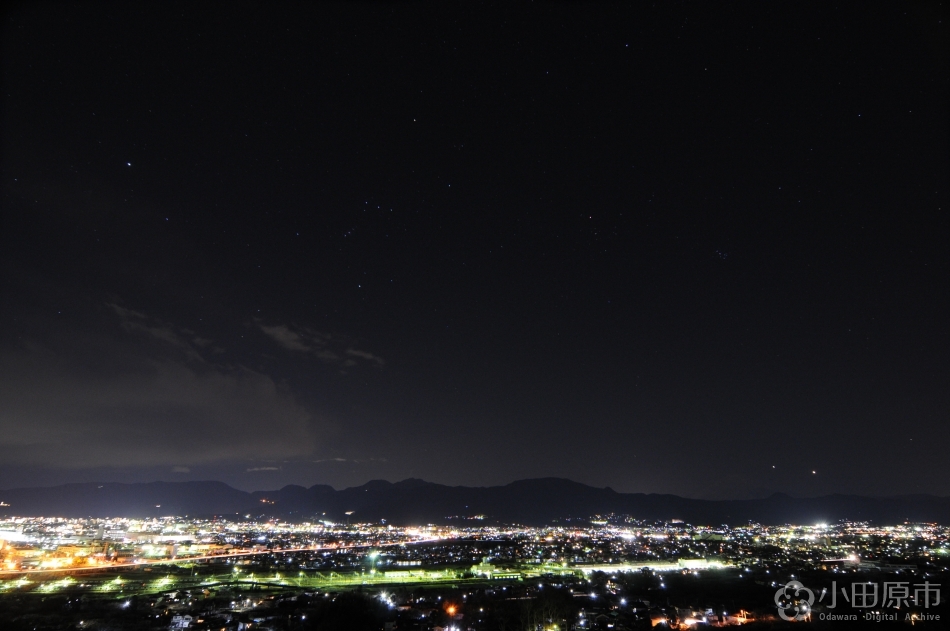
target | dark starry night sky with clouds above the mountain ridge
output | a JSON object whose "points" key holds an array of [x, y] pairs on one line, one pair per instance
{"points": [[698, 249]]}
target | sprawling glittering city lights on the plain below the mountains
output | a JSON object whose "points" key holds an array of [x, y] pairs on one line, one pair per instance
{"points": [[609, 566]]}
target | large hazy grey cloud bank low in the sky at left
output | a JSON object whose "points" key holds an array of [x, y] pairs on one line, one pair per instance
{"points": [[157, 404]]}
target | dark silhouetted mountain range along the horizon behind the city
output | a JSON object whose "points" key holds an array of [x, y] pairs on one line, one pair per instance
{"points": [[413, 501]]}
